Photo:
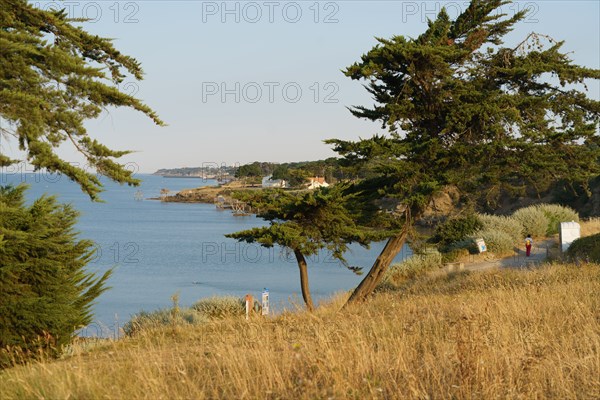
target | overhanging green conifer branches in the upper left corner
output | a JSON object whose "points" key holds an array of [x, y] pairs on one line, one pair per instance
{"points": [[53, 77]]}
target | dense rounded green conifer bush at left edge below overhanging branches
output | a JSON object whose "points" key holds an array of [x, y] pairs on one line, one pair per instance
{"points": [[46, 293]]}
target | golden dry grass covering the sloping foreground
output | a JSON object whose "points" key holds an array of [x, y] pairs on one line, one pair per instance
{"points": [[501, 334]]}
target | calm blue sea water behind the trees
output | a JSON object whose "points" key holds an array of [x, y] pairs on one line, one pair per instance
{"points": [[160, 249]]}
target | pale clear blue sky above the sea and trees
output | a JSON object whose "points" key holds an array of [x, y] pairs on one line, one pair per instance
{"points": [[243, 81]]}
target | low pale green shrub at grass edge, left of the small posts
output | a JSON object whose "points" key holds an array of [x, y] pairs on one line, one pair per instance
{"points": [[164, 317]]}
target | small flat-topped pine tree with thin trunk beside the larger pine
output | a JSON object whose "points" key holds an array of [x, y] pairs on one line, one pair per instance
{"points": [[306, 222]]}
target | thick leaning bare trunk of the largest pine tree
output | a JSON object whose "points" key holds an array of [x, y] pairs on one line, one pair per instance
{"points": [[379, 268]]}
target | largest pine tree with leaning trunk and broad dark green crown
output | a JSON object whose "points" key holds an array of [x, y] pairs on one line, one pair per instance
{"points": [[463, 110]]}
